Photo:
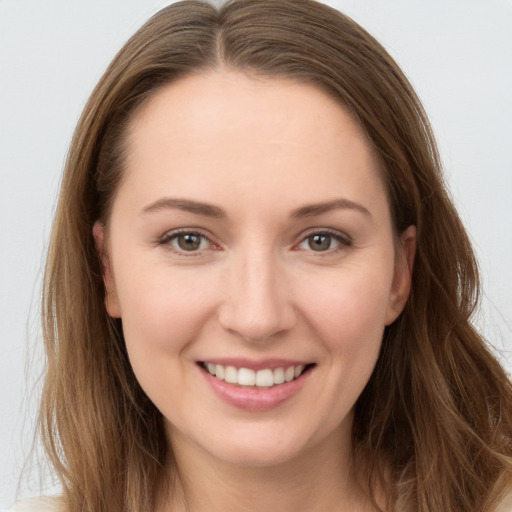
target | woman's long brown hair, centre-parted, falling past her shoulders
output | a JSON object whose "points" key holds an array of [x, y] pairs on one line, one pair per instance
{"points": [[433, 425]]}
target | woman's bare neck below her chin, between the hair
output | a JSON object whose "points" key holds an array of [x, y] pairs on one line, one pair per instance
{"points": [[317, 480]]}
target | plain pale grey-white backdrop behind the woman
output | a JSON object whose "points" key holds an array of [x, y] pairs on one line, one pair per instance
{"points": [[458, 55]]}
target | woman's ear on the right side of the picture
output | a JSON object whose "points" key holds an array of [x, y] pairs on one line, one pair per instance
{"points": [[402, 275]]}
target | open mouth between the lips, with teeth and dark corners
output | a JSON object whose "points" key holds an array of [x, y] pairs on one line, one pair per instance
{"points": [[264, 378]]}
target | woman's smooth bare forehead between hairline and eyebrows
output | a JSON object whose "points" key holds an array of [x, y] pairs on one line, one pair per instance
{"points": [[225, 127]]}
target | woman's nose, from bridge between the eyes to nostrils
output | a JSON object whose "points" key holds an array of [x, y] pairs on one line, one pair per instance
{"points": [[257, 303]]}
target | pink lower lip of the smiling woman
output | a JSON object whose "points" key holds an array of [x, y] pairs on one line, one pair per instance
{"points": [[255, 399]]}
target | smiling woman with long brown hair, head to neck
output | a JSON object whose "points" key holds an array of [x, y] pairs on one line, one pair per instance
{"points": [[265, 292]]}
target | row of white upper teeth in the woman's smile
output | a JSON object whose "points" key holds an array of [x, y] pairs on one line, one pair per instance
{"points": [[265, 378]]}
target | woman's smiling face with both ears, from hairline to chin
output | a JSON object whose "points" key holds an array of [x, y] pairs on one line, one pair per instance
{"points": [[251, 238]]}
